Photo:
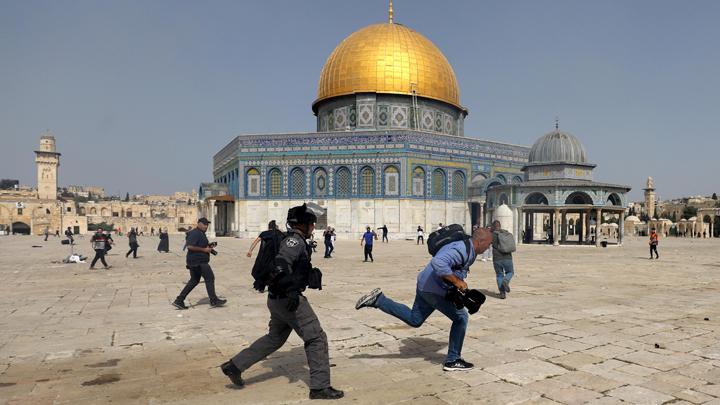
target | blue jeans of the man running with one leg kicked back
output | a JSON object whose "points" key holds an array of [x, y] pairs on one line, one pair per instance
{"points": [[424, 305]]}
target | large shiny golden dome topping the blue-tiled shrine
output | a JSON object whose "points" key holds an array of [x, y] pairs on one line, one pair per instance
{"points": [[388, 58]]}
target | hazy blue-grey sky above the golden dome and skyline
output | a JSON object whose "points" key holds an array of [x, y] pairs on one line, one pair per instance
{"points": [[141, 94]]}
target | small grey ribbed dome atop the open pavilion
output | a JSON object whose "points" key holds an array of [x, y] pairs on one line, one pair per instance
{"points": [[557, 146]]}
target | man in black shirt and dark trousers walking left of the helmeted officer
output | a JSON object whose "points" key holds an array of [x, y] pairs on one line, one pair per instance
{"points": [[198, 262]]}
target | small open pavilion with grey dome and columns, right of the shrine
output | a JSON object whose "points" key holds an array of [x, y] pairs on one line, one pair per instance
{"points": [[558, 201]]}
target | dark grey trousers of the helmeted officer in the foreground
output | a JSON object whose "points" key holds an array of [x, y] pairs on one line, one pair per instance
{"points": [[305, 323]]}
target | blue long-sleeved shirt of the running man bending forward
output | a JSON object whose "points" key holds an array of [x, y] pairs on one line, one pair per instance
{"points": [[450, 256]]}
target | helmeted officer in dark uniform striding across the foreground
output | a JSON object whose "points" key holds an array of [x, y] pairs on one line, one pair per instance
{"points": [[290, 310]]}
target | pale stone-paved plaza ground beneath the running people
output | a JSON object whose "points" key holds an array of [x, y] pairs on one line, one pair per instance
{"points": [[582, 325]]}
